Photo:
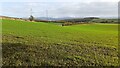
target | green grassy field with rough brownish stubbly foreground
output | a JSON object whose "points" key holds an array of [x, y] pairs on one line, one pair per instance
{"points": [[48, 44]]}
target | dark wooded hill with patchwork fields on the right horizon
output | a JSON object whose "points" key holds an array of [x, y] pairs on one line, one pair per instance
{"points": [[91, 20]]}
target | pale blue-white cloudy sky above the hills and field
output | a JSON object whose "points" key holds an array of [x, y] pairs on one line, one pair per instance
{"points": [[59, 8]]}
